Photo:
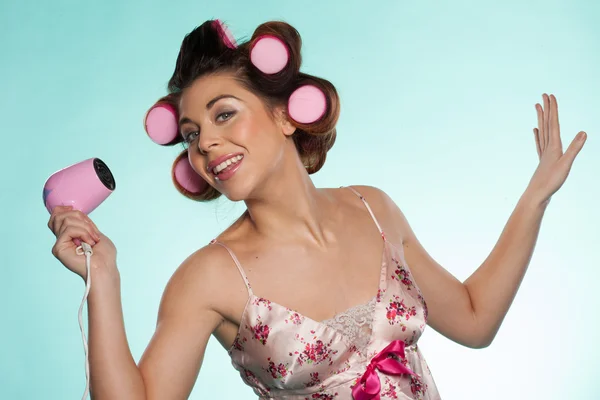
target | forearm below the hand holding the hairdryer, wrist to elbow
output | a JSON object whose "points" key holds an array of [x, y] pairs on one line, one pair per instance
{"points": [[113, 371]]}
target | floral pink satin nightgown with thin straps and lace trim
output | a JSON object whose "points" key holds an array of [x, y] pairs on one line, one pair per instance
{"points": [[367, 352]]}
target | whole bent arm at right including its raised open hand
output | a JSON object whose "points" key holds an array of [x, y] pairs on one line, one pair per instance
{"points": [[471, 313]]}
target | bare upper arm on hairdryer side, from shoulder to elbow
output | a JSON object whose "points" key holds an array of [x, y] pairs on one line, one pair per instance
{"points": [[186, 319]]}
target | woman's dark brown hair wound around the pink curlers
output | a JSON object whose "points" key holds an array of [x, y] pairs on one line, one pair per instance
{"points": [[204, 52]]}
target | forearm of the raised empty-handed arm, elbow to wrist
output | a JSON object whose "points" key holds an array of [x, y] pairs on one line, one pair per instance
{"points": [[493, 286]]}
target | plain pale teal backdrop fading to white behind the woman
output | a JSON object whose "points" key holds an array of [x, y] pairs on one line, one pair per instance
{"points": [[437, 110]]}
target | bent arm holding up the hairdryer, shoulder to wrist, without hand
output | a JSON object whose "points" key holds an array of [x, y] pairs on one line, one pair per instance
{"points": [[171, 363]]}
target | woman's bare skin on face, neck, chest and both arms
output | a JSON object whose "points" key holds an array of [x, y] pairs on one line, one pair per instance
{"points": [[313, 250]]}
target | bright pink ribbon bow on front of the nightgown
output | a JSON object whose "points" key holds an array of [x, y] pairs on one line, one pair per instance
{"points": [[369, 385]]}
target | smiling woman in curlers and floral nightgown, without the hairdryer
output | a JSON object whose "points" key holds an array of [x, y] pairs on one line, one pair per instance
{"points": [[315, 293]]}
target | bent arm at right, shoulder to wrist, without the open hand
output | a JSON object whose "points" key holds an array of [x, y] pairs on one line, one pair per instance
{"points": [[468, 313]]}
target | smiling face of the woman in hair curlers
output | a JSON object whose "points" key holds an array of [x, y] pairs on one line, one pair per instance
{"points": [[234, 142]]}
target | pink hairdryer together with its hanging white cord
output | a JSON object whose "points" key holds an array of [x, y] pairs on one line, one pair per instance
{"points": [[84, 186]]}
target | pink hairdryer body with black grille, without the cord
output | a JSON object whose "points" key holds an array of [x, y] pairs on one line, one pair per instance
{"points": [[84, 186]]}
